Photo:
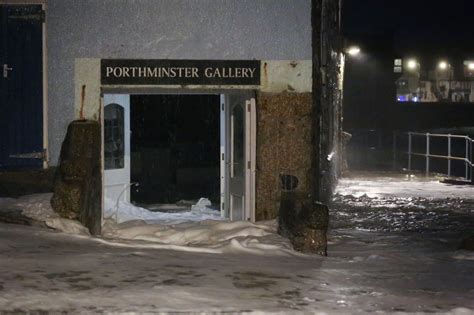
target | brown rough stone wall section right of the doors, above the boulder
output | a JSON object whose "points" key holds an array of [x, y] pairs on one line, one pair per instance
{"points": [[284, 147]]}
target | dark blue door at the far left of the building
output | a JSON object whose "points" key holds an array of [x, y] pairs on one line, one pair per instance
{"points": [[21, 86]]}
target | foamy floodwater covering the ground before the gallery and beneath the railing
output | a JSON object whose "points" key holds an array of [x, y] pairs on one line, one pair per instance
{"points": [[393, 248]]}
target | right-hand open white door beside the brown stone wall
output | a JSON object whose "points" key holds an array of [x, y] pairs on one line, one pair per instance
{"points": [[238, 158]]}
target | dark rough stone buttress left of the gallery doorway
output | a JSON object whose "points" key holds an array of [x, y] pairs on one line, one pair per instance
{"points": [[78, 182]]}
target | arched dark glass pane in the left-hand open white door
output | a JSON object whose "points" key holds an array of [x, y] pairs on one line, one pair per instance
{"points": [[114, 137]]}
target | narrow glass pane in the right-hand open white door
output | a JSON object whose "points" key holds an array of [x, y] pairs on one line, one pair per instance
{"points": [[238, 141]]}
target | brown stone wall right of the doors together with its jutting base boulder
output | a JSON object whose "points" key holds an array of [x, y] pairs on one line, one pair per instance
{"points": [[285, 170]]}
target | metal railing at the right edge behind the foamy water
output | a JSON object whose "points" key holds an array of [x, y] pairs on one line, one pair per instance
{"points": [[466, 158]]}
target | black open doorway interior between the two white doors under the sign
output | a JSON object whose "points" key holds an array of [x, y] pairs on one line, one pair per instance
{"points": [[175, 148]]}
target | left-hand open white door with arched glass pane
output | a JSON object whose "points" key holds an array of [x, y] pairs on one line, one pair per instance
{"points": [[117, 147]]}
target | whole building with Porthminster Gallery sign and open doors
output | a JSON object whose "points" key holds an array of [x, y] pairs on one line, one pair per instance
{"points": [[192, 99]]}
